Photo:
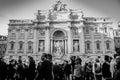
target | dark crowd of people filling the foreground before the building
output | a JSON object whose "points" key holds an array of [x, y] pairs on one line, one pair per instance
{"points": [[68, 70]]}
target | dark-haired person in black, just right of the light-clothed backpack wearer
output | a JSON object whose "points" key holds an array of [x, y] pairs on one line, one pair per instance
{"points": [[106, 68]]}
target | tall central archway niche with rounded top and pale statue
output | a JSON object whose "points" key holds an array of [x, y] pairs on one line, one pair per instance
{"points": [[58, 43]]}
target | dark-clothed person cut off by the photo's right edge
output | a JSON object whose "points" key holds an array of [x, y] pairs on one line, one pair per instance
{"points": [[116, 75]]}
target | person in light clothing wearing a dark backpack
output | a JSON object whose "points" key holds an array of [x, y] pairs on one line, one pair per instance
{"points": [[97, 69]]}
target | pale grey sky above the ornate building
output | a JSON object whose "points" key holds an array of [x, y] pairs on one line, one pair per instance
{"points": [[26, 9]]}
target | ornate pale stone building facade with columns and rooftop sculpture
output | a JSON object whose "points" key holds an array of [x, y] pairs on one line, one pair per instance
{"points": [[61, 32]]}
